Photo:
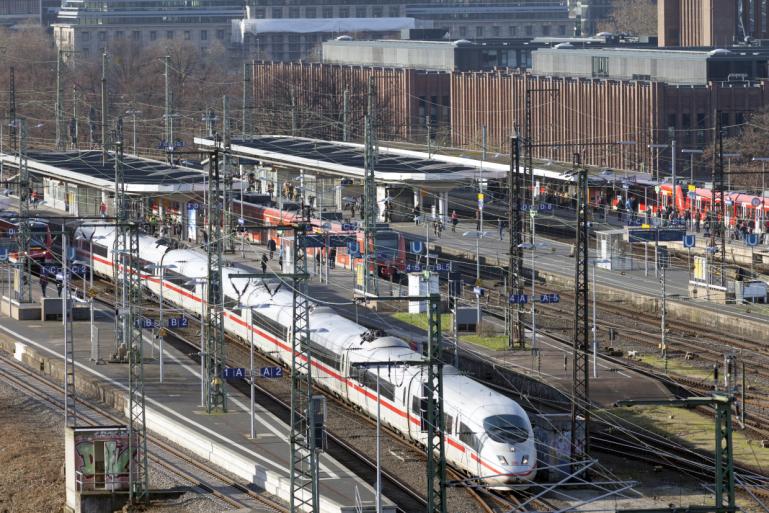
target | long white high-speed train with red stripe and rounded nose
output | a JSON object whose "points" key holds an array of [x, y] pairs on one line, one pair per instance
{"points": [[487, 434]]}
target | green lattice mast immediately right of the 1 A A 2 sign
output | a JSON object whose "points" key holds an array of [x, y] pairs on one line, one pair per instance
{"points": [[304, 454]]}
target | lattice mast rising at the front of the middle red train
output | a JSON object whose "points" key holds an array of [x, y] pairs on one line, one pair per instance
{"points": [[369, 195]]}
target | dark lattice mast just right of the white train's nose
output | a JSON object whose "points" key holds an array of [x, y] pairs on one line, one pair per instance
{"points": [[580, 406]]}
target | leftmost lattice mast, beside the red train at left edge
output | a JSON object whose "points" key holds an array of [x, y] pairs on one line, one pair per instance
{"points": [[25, 267]]}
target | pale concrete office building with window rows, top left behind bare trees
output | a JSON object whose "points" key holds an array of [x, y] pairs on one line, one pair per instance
{"points": [[91, 26]]}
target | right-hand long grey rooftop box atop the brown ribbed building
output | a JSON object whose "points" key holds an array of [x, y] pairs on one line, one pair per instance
{"points": [[681, 67]]}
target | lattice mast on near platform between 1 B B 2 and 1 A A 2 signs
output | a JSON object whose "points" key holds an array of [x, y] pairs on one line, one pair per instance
{"points": [[216, 395]]}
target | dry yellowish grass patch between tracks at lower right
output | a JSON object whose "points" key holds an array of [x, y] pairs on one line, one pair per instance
{"points": [[694, 429]]}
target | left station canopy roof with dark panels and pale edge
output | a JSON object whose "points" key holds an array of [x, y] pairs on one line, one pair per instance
{"points": [[142, 176]]}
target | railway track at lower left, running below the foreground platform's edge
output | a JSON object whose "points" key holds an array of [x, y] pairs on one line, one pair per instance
{"points": [[163, 455]]}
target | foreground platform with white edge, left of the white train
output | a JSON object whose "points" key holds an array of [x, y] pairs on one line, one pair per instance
{"points": [[174, 409]]}
